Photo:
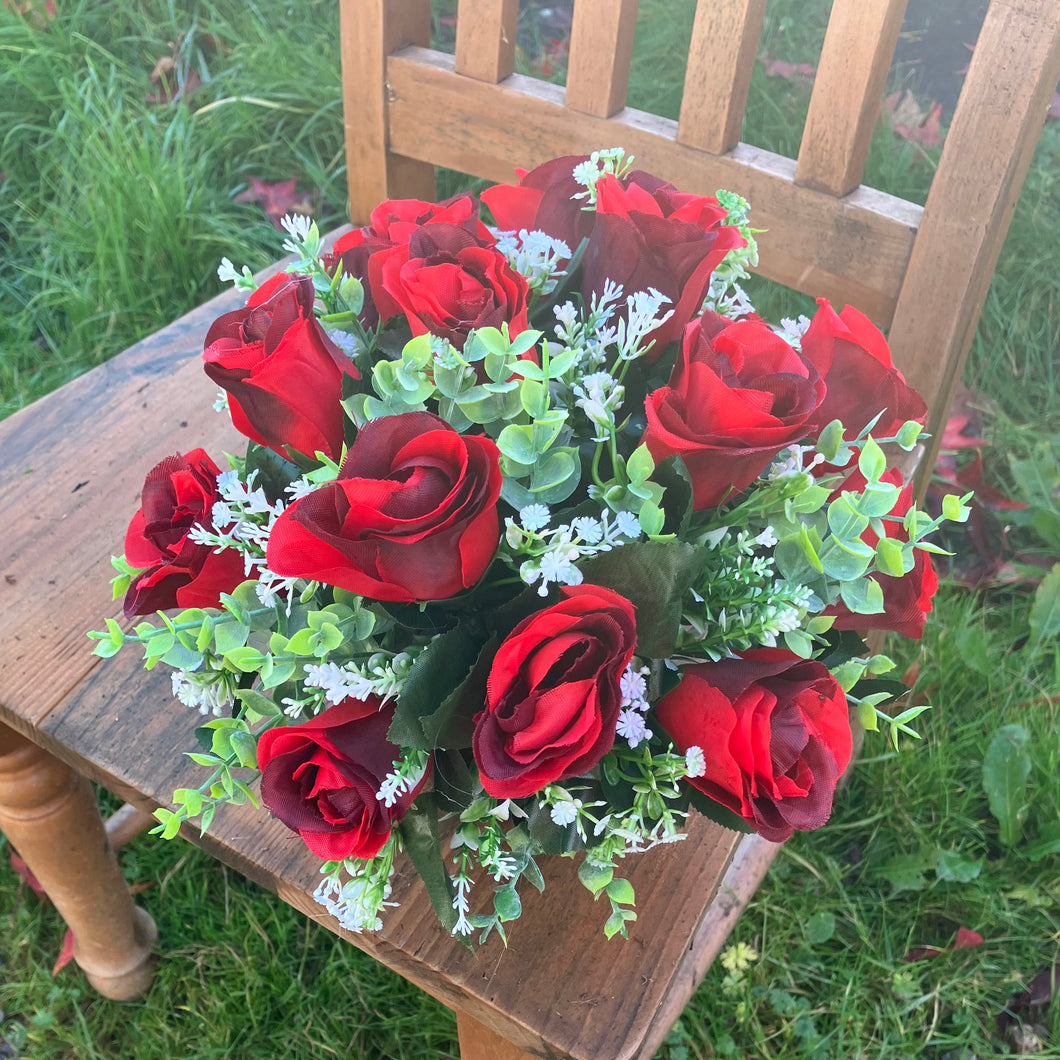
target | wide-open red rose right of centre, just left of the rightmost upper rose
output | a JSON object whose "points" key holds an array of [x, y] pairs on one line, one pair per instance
{"points": [[738, 396]]}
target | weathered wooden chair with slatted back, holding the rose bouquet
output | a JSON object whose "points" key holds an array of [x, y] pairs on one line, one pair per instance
{"points": [[69, 481]]}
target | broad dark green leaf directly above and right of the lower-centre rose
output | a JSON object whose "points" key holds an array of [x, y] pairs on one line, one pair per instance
{"points": [[655, 577]]}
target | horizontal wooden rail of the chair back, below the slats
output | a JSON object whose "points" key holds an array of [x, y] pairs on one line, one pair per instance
{"points": [[855, 251]]}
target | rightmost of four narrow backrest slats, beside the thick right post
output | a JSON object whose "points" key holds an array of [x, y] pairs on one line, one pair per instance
{"points": [[845, 105]]}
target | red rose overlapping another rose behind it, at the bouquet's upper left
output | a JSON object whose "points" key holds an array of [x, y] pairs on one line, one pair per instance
{"points": [[447, 282]]}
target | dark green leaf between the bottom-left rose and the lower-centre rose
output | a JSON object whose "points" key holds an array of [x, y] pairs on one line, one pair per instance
{"points": [[427, 709]]}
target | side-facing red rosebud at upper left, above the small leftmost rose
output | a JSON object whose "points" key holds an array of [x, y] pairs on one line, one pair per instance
{"points": [[282, 373]]}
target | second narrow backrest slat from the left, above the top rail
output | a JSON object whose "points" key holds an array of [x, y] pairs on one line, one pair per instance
{"points": [[602, 48]]}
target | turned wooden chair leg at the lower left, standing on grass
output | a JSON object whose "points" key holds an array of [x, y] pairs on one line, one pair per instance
{"points": [[50, 816]]}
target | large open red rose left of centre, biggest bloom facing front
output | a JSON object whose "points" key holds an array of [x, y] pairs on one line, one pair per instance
{"points": [[413, 515]]}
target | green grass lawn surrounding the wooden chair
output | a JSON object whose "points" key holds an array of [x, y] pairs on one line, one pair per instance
{"points": [[114, 214]]}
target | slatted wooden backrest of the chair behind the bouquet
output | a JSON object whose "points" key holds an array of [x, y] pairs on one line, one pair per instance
{"points": [[921, 273]]}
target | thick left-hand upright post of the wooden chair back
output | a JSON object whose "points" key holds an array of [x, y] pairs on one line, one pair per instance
{"points": [[369, 31]]}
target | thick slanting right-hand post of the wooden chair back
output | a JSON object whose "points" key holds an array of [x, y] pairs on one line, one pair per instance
{"points": [[988, 149]]}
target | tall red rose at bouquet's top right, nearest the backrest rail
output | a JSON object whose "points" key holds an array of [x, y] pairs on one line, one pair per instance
{"points": [[649, 235]]}
